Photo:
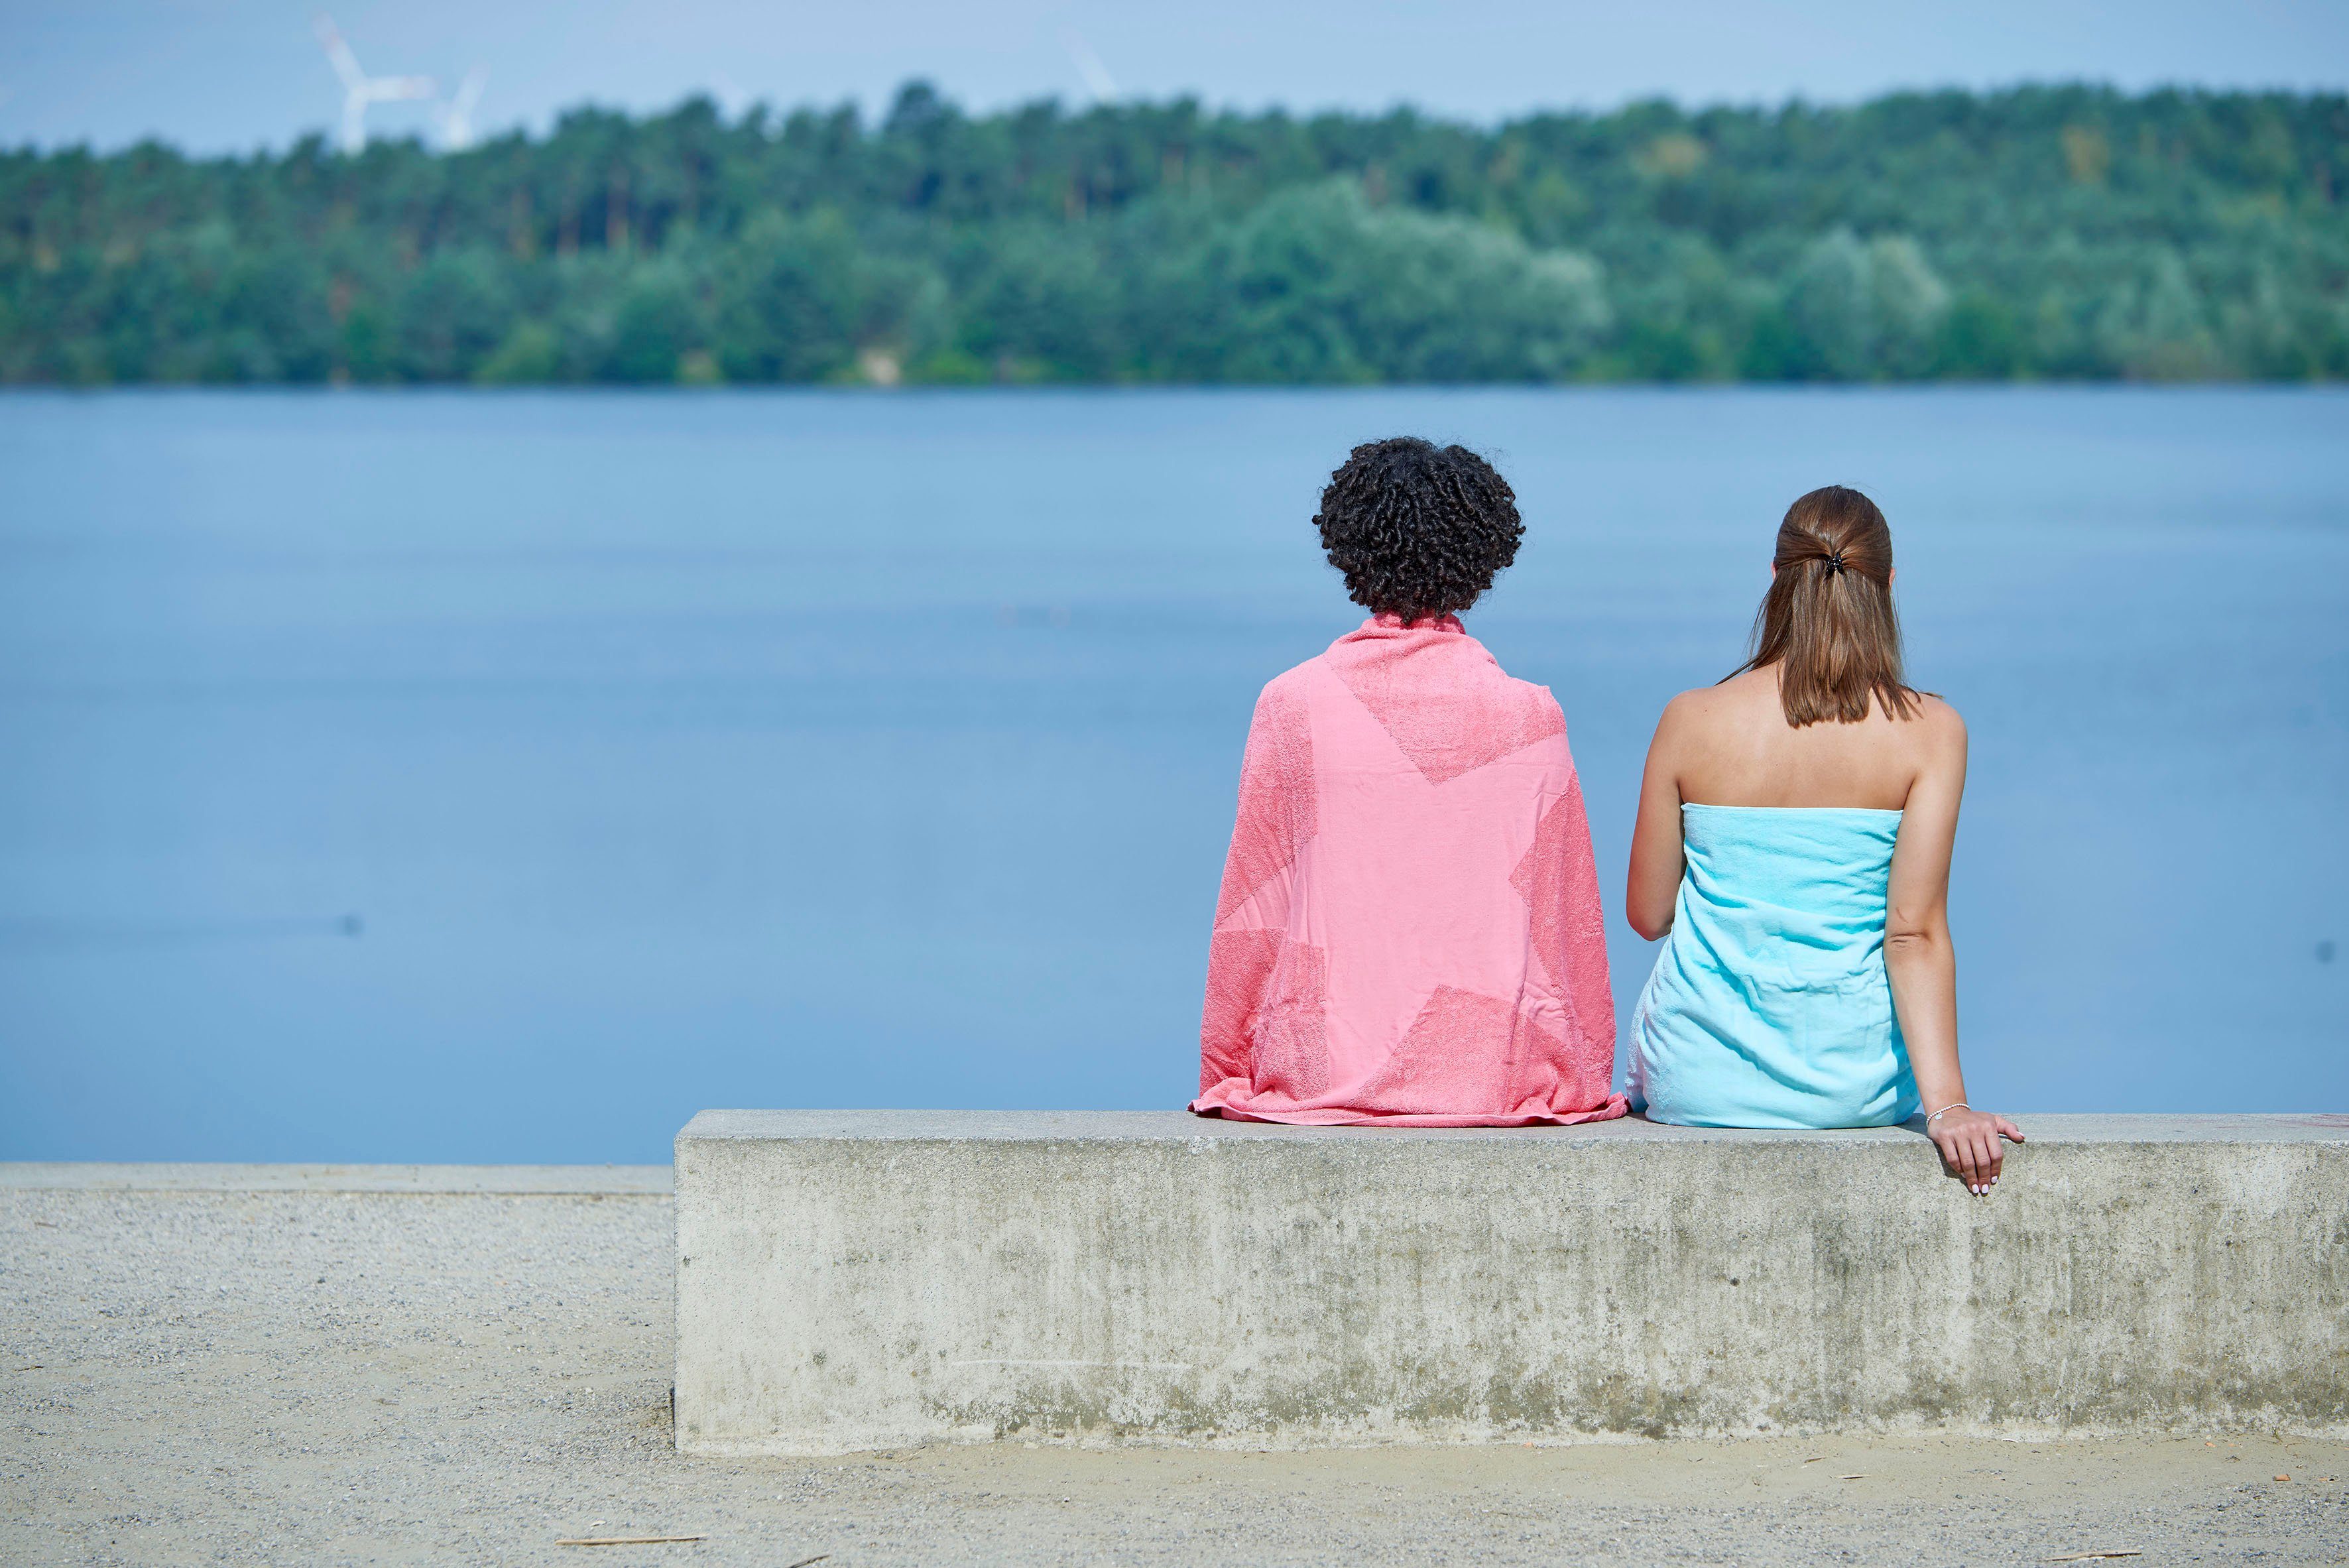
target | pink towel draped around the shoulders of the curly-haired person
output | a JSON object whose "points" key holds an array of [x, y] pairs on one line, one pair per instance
{"points": [[1411, 919]]}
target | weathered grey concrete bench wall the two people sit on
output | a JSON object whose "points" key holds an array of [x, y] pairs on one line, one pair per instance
{"points": [[856, 1280]]}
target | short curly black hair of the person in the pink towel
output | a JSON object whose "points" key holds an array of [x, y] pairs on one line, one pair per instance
{"points": [[1418, 529]]}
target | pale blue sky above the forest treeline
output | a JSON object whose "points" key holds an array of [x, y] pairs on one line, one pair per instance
{"points": [[241, 74]]}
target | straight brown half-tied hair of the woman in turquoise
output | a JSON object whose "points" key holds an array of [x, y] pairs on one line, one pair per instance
{"points": [[1829, 619]]}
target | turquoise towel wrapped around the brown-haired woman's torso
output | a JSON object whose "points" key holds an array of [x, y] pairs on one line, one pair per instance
{"points": [[1770, 1006]]}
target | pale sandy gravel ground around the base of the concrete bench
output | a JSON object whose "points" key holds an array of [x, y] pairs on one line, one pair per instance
{"points": [[469, 1379]]}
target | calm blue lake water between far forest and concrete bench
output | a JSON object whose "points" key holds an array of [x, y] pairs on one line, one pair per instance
{"points": [[511, 776]]}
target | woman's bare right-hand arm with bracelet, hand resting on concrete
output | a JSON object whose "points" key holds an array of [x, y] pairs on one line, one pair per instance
{"points": [[1920, 961]]}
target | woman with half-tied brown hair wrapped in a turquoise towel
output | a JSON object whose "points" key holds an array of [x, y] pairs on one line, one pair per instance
{"points": [[1793, 856]]}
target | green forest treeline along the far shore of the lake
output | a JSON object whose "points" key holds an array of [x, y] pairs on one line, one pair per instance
{"points": [[2028, 234]]}
